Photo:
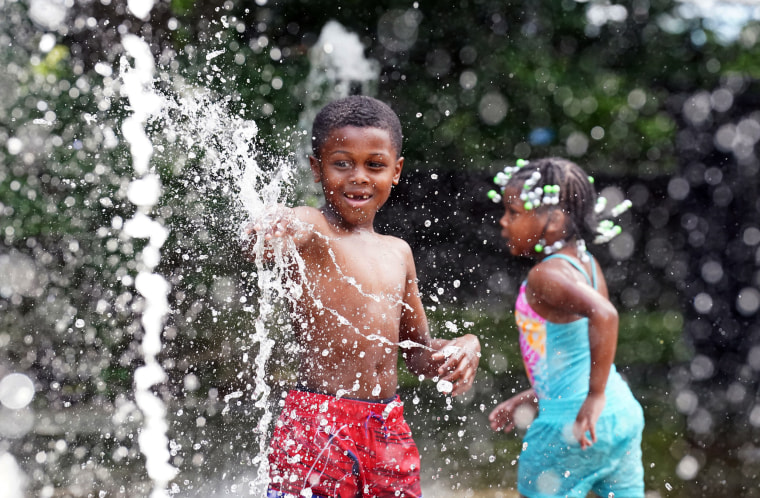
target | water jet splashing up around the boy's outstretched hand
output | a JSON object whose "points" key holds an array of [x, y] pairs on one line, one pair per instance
{"points": [[201, 123]]}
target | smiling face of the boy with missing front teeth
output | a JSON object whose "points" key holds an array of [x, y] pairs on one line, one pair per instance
{"points": [[357, 166]]}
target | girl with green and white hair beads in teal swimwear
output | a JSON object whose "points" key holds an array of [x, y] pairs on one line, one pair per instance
{"points": [[587, 436]]}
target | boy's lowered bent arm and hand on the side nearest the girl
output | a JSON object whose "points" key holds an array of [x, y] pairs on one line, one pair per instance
{"points": [[455, 361]]}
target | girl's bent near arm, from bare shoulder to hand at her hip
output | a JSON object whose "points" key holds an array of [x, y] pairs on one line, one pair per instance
{"points": [[561, 296]]}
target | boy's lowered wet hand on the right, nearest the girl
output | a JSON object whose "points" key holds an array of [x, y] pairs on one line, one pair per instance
{"points": [[460, 357]]}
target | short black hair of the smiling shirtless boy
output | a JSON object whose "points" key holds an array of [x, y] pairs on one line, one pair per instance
{"points": [[356, 110]]}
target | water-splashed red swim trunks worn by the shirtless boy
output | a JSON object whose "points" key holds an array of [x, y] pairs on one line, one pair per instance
{"points": [[325, 446]]}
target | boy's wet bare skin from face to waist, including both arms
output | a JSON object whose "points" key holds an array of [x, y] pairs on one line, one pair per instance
{"points": [[360, 295]]}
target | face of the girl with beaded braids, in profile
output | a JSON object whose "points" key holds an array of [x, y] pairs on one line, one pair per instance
{"points": [[522, 229]]}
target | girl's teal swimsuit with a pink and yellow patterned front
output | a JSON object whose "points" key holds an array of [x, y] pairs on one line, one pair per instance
{"points": [[552, 464]]}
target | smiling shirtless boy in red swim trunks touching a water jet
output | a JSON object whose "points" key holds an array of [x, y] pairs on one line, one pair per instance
{"points": [[341, 432]]}
